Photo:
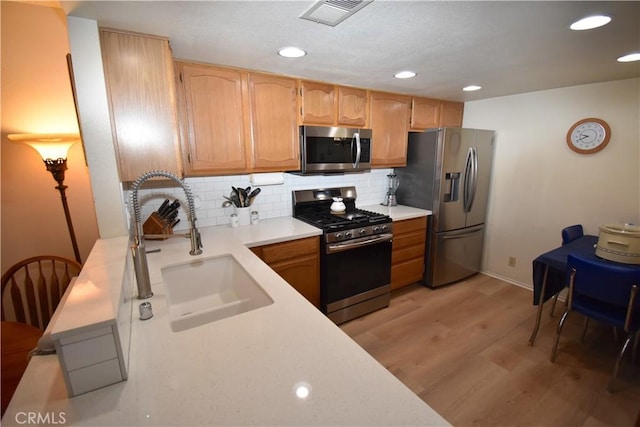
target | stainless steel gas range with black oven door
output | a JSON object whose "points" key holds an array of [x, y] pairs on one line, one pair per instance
{"points": [[355, 260]]}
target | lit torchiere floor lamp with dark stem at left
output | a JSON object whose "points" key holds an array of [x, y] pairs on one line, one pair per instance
{"points": [[54, 148]]}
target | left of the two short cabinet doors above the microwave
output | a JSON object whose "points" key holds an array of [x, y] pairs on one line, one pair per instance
{"points": [[317, 103]]}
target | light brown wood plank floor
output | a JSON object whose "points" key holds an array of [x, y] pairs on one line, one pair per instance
{"points": [[464, 350]]}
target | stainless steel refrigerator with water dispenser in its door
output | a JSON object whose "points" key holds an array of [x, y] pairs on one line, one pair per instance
{"points": [[448, 172]]}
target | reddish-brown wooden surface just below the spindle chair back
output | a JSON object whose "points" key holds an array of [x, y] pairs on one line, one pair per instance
{"points": [[17, 340]]}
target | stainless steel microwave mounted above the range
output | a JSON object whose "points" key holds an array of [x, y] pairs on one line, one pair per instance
{"points": [[325, 150]]}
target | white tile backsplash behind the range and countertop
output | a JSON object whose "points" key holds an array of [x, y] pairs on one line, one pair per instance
{"points": [[273, 201]]}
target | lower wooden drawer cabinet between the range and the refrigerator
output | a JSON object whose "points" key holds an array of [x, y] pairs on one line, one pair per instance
{"points": [[407, 257]]}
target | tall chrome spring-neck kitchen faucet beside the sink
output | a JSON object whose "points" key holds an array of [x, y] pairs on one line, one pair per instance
{"points": [[140, 265]]}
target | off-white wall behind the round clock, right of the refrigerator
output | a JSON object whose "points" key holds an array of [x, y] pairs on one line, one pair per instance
{"points": [[540, 186]]}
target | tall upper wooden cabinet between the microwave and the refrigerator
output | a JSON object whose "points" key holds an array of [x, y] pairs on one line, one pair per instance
{"points": [[390, 125]]}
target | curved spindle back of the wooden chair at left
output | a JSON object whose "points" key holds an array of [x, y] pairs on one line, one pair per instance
{"points": [[32, 288]]}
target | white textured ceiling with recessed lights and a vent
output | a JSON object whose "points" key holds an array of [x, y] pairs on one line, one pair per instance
{"points": [[507, 47]]}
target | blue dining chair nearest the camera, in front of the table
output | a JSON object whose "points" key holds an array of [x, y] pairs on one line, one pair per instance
{"points": [[607, 292]]}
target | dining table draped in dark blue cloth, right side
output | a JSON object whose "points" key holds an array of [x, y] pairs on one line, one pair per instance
{"points": [[550, 275]]}
